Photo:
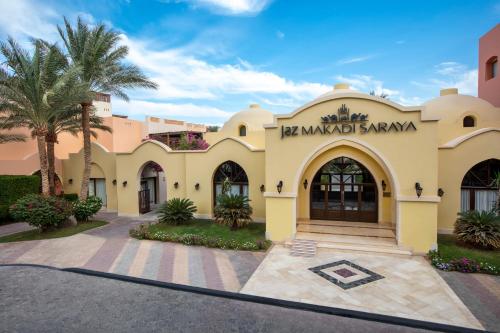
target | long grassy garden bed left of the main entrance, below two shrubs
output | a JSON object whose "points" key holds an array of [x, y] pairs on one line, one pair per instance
{"points": [[206, 233]]}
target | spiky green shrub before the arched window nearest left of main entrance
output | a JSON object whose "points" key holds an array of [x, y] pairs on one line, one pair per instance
{"points": [[233, 210]]}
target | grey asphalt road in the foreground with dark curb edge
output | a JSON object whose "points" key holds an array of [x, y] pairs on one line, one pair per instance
{"points": [[45, 300]]}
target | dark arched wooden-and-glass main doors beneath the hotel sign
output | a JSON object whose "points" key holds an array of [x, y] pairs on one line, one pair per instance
{"points": [[344, 190]]}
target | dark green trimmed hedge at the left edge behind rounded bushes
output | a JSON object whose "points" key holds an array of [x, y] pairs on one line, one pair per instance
{"points": [[13, 188]]}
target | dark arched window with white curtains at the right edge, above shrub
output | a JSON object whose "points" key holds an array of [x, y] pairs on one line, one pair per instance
{"points": [[478, 191]]}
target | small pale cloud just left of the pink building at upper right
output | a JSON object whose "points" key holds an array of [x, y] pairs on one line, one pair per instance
{"points": [[451, 74]]}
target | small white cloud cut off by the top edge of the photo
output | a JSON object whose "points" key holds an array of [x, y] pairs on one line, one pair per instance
{"points": [[231, 7]]}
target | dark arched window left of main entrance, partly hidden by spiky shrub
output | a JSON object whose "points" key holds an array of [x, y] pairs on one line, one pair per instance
{"points": [[233, 173]]}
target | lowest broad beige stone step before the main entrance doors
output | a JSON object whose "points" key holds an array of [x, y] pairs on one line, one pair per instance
{"points": [[352, 243]]}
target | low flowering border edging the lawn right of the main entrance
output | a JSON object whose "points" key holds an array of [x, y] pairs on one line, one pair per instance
{"points": [[463, 265]]}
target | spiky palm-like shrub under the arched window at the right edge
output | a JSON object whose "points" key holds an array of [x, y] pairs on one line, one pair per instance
{"points": [[480, 229]]}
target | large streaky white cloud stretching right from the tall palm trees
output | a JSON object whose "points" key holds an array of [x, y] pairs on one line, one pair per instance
{"points": [[181, 75]]}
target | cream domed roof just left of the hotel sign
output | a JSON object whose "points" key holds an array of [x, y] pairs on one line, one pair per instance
{"points": [[253, 117]]}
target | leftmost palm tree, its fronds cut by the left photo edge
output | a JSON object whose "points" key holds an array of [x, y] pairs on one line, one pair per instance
{"points": [[34, 87]]}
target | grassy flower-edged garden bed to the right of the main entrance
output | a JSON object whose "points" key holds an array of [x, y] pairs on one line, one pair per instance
{"points": [[452, 256]]}
